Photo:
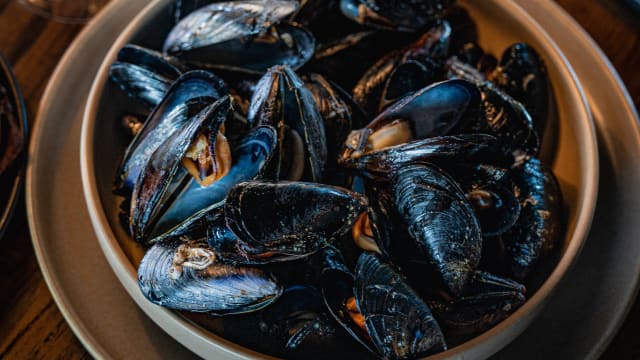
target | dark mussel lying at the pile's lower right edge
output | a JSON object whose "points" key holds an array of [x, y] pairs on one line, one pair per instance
{"points": [[487, 300]]}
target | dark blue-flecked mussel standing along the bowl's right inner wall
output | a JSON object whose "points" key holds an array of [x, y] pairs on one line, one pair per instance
{"points": [[540, 224]]}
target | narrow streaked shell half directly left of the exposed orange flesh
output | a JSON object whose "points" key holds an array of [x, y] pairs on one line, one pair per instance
{"points": [[155, 185]]}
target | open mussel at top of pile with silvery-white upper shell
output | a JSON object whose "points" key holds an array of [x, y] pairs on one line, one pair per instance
{"points": [[241, 36]]}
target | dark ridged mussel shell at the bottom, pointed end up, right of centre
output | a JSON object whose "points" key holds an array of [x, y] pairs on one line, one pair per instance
{"points": [[399, 323]]}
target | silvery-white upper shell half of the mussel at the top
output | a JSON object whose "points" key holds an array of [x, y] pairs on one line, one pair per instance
{"points": [[224, 21]]}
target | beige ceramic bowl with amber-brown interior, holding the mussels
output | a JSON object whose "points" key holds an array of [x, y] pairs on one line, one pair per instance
{"points": [[571, 152]]}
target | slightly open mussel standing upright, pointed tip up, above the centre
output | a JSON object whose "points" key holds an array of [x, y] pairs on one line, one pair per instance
{"points": [[282, 101]]}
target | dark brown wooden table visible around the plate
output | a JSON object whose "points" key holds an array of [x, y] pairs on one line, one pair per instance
{"points": [[31, 326]]}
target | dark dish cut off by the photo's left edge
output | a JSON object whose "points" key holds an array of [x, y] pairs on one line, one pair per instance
{"points": [[11, 179]]}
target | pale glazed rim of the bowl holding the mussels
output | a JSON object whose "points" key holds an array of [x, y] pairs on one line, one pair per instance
{"points": [[201, 341]]}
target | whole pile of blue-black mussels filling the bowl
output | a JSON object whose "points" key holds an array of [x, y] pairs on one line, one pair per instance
{"points": [[402, 215]]}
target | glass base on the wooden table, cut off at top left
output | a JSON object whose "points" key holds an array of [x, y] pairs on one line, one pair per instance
{"points": [[69, 11]]}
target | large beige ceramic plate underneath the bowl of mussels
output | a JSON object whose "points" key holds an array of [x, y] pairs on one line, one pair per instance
{"points": [[86, 290]]}
